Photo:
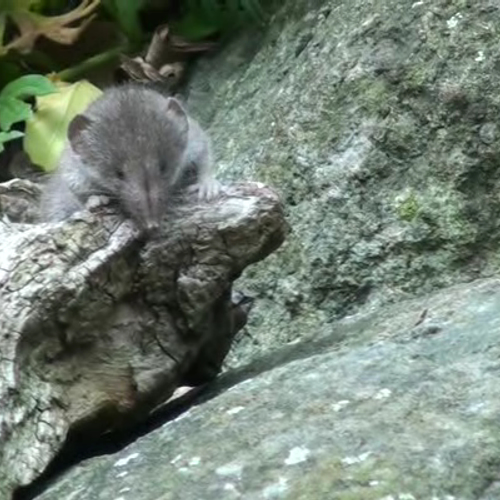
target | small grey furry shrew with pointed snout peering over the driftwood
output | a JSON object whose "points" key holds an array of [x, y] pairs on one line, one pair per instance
{"points": [[134, 146]]}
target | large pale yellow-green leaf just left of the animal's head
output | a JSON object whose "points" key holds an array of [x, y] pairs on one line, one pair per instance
{"points": [[46, 131]]}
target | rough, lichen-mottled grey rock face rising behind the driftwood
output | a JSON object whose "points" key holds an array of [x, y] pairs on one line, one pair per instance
{"points": [[377, 121]]}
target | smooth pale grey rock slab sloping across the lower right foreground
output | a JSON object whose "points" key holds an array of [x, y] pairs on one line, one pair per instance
{"points": [[403, 404]]}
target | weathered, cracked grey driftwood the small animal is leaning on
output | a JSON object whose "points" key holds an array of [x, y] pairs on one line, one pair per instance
{"points": [[99, 325]]}
